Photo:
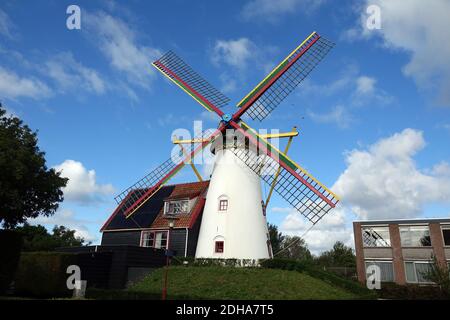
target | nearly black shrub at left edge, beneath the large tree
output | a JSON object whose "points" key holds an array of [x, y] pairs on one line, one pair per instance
{"points": [[10, 246]]}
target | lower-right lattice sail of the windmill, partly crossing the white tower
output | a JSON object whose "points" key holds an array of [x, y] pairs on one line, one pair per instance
{"points": [[294, 184]]}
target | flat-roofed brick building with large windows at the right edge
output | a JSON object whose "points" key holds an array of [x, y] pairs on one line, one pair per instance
{"points": [[403, 249]]}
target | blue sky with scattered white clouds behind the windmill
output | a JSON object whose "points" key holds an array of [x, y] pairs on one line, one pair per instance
{"points": [[374, 117]]}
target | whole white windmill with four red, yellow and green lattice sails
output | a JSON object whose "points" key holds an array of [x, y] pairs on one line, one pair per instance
{"points": [[233, 222]]}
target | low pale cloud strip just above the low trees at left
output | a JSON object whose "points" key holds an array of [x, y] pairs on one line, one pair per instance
{"points": [[67, 218]]}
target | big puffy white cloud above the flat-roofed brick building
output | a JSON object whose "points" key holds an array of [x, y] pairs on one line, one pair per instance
{"points": [[383, 181]]}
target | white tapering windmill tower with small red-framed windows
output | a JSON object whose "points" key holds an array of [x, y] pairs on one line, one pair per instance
{"points": [[234, 222]]}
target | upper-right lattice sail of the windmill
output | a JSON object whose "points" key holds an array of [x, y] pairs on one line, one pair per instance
{"points": [[286, 77]]}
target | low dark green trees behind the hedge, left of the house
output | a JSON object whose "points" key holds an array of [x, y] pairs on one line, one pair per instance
{"points": [[37, 238]]}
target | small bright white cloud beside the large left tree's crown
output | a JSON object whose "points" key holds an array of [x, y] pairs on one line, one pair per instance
{"points": [[82, 186]]}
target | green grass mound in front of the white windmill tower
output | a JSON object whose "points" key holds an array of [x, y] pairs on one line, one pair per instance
{"points": [[240, 283]]}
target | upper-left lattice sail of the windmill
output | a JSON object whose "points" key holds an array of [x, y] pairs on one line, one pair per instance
{"points": [[184, 76]]}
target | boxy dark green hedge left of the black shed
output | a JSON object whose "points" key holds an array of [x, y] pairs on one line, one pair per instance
{"points": [[43, 274]]}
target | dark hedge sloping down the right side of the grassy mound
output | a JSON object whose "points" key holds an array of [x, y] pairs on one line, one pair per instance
{"points": [[313, 271]]}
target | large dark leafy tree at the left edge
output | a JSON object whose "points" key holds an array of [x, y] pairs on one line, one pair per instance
{"points": [[27, 187]]}
